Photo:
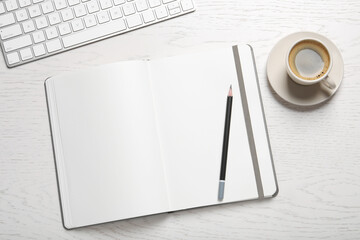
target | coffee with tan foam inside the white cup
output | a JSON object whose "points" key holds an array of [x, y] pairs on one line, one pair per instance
{"points": [[309, 60]]}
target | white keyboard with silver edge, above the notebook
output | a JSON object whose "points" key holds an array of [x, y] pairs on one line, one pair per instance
{"points": [[34, 29]]}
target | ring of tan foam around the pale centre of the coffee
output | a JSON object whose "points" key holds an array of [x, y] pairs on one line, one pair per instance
{"points": [[315, 46]]}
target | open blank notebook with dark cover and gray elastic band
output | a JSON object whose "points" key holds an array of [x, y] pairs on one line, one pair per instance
{"points": [[144, 137]]}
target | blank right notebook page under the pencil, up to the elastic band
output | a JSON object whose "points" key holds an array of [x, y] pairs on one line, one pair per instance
{"points": [[190, 94]]}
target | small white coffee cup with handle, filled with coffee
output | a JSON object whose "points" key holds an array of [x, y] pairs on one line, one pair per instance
{"points": [[309, 61]]}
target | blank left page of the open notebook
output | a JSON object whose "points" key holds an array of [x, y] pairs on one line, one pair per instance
{"points": [[106, 144]]}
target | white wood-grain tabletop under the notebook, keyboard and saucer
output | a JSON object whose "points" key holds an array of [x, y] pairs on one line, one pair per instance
{"points": [[316, 150]]}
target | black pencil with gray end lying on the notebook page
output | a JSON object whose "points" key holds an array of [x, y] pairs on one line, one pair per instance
{"points": [[225, 145]]}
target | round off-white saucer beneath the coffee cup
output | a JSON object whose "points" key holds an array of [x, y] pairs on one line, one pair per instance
{"points": [[295, 93]]}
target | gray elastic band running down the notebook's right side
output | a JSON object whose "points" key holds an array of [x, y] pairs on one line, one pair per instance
{"points": [[248, 122]]}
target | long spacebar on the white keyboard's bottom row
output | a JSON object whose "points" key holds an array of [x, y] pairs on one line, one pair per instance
{"points": [[94, 33]]}
